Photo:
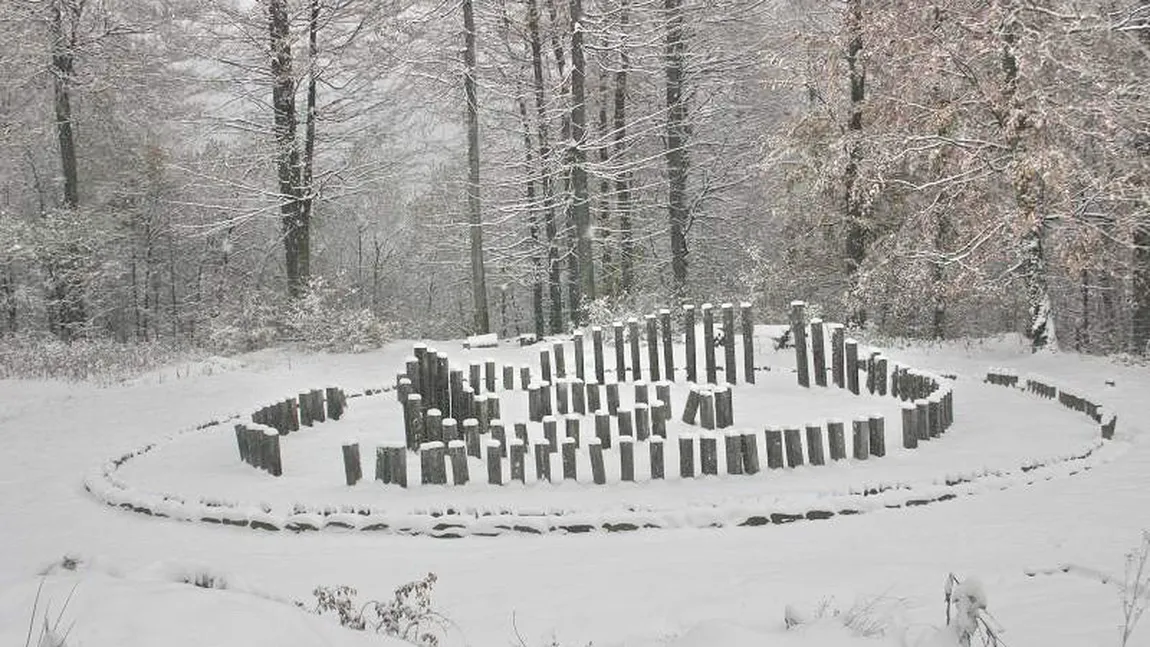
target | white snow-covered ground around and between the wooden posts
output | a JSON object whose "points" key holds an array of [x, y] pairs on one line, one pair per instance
{"points": [[686, 587]]}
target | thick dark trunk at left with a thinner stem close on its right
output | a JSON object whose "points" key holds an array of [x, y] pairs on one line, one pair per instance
{"points": [[288, 167]]}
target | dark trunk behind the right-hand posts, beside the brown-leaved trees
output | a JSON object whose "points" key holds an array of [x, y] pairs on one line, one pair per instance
{"points": [[856, 226]]}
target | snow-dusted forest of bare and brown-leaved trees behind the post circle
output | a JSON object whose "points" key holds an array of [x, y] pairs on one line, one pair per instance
{"points": [[233, 174]]}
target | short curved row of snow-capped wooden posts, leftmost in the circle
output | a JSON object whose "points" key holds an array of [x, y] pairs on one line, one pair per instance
{"points": [[259, 441]]}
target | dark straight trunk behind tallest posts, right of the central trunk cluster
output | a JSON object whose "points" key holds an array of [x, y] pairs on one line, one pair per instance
{"points": [[678, 133]]}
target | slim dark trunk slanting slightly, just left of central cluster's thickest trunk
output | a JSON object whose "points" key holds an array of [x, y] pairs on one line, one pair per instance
{"points": [[555, 287]]}
